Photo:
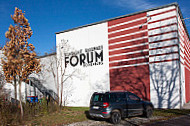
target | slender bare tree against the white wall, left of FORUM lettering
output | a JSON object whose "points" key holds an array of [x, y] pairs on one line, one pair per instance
{"points": [[61, 72]]}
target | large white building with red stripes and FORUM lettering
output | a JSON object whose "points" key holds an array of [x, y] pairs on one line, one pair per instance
{"points": [[146, 53]]}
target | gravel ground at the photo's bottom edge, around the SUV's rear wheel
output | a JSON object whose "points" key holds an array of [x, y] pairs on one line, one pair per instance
{"points": [[134, 121]]}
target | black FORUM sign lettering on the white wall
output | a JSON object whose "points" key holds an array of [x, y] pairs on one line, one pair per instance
{"points": [[85, 57]]}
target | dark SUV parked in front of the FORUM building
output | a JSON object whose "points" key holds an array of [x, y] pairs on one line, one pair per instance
{"points": [[118, 105]]}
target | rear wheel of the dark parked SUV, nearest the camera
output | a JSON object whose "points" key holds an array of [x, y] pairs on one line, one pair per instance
{"points": [[115, 117]]}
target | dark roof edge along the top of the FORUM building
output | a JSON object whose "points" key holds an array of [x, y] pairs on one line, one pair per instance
{"points": [[171, 4]]}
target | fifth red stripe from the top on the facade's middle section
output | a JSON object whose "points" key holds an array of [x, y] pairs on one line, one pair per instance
{"points": [[136, 42]]}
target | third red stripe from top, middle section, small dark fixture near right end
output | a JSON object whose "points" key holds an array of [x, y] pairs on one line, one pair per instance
{"points": [[127, 31]]}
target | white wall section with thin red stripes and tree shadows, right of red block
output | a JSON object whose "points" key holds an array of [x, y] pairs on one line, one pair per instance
{"points": [[163, 63]]}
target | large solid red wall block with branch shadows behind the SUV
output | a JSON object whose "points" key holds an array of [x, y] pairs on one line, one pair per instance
{"points": [[135, 79]]}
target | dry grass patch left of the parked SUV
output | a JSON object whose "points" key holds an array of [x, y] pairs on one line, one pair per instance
{"points": [[65, 116]]}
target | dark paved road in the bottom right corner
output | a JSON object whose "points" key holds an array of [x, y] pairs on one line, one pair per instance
{"points": [[180, 121]]}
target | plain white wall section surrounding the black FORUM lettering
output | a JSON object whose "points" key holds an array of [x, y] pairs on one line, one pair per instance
{"points": [[91, 78]]}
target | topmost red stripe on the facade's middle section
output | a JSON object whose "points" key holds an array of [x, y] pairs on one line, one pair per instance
{"points": [[124, 19]]}
